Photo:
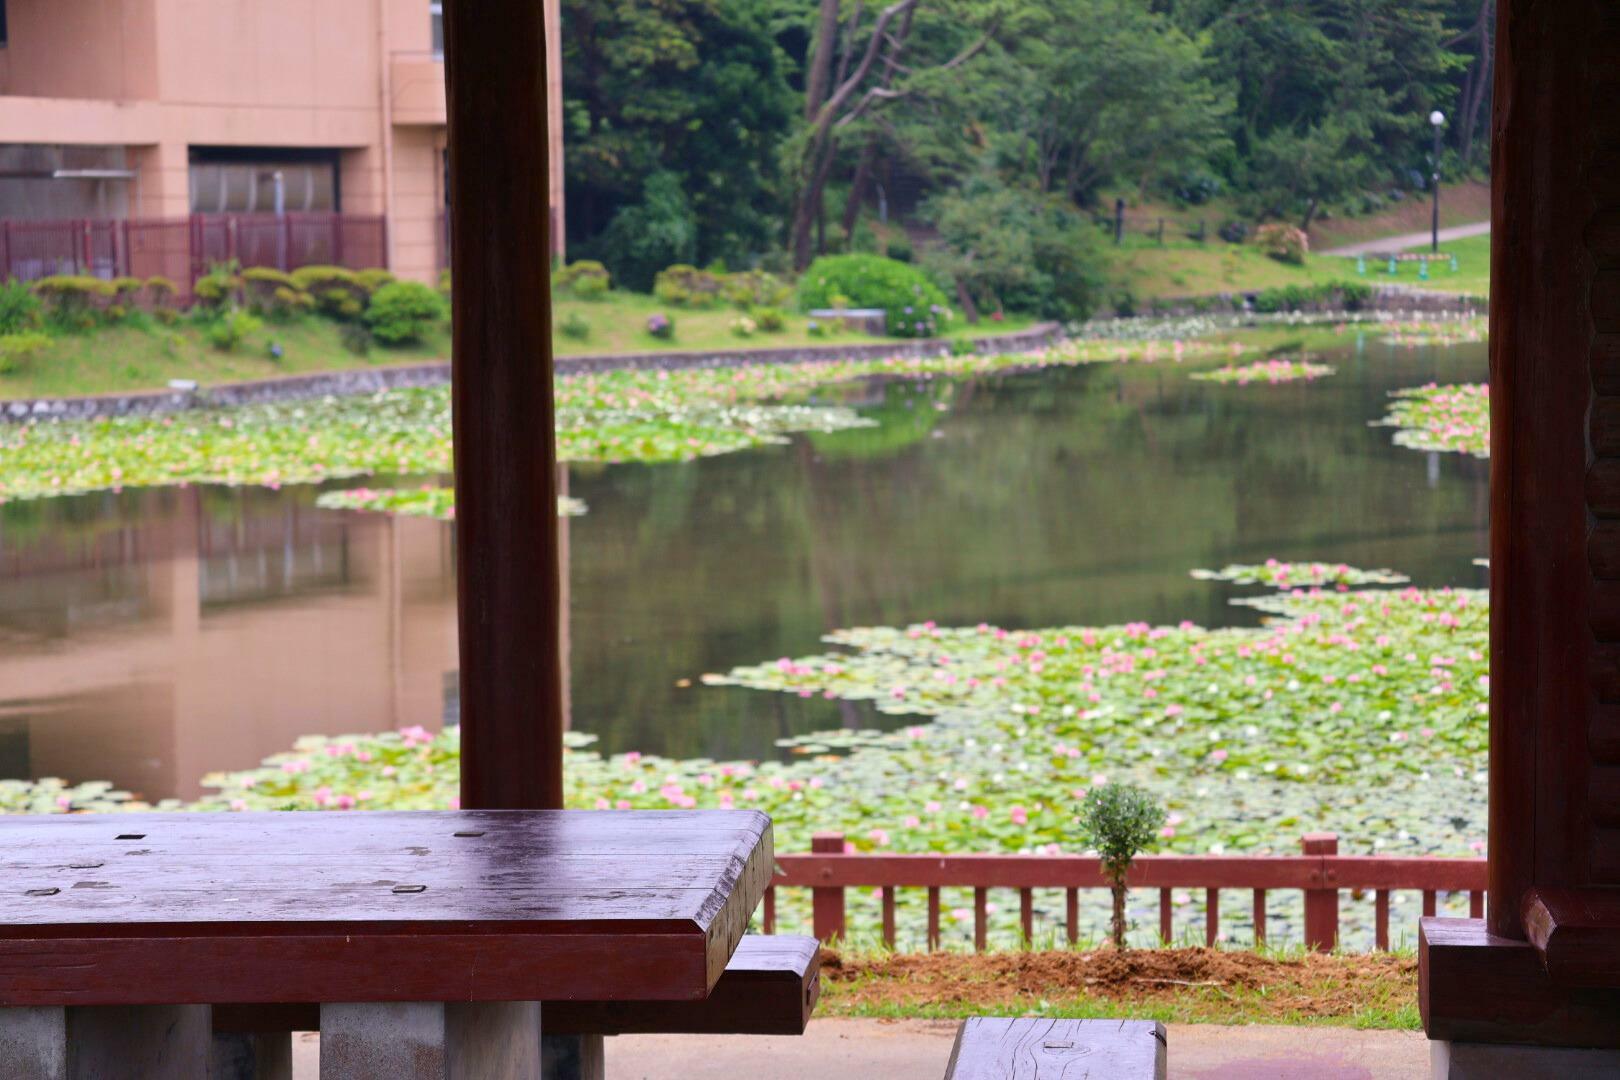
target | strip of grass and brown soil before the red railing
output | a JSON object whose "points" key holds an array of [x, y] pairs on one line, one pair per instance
{"points": [[1169, 985]]}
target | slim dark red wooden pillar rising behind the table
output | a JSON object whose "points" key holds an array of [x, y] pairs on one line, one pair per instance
{"points": [[506, 495]]}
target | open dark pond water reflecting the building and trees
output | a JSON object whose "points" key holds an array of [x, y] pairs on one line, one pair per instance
{"points": [[151, 637]]}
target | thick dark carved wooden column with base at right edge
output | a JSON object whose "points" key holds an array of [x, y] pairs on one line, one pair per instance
{"points": [[1545, 967]]}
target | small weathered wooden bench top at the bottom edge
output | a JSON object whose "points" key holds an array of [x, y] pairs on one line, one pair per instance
{"points": [[1028, 1048]]}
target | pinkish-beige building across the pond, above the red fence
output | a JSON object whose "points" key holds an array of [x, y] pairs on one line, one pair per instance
{"points": [[163, 109]]}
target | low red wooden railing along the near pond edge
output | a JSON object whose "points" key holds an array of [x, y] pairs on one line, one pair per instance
{"points": [[1319, 872]]}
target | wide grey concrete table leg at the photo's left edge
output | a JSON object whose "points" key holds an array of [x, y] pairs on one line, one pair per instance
{"points": [[106, 1042]]}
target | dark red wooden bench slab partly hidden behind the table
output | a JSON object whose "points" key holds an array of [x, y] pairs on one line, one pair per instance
{"points": [[770, 989]]}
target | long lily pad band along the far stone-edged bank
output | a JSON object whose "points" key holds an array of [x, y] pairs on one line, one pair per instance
{"points": [[612, 417]]}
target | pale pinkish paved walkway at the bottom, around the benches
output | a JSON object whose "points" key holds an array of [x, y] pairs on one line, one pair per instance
{"points": [[918, 1050]]}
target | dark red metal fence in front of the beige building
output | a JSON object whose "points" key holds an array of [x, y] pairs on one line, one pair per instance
{"points": [[184, 249]]}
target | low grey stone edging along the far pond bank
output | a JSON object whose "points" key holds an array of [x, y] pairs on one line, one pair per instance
{"points": [[438, 373]]}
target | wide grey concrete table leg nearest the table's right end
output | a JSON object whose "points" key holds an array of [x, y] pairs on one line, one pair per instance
{"points": [[432, 1042]]}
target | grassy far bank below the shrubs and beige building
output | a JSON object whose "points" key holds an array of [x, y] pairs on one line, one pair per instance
{"points": [[147, 357]]}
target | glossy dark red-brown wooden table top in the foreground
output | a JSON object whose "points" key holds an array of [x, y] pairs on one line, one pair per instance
{"points": [[333, 906]]}
